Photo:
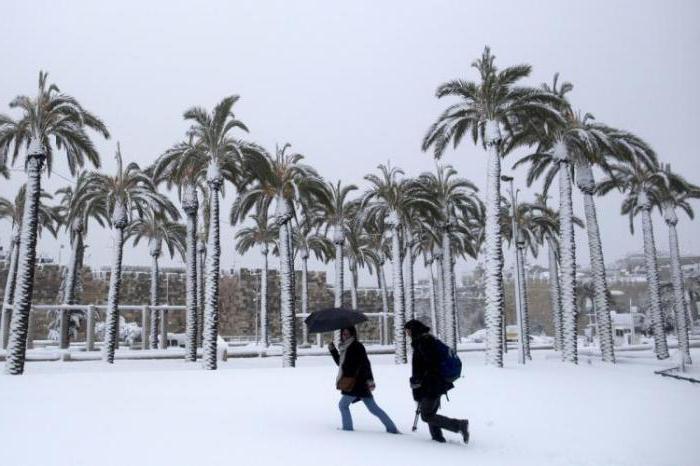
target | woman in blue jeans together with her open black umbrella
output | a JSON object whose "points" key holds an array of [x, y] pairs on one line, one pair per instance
{"points": [[354, 380]]}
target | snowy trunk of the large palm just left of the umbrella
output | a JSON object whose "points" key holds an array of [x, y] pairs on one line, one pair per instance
{"points": [[287, 298]]}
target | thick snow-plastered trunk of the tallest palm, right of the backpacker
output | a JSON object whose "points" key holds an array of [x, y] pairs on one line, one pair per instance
{"points": [[494, 259]]}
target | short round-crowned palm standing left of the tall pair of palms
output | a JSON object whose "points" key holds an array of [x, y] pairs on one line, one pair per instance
{"points": [[158, 228]]}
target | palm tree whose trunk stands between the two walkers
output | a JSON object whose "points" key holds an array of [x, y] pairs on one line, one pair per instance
{"points": [[390, 200]]}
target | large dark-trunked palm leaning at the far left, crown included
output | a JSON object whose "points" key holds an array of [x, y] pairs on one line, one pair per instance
{"points": [[49, 120]]}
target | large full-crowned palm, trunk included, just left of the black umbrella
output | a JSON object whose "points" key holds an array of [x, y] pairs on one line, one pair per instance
{"points": [[281, 179]]}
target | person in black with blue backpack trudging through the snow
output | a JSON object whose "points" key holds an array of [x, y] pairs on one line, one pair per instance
{"points": [[435, 367]]}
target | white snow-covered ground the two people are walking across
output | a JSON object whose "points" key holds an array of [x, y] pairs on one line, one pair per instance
{"points": [[251, 411]]}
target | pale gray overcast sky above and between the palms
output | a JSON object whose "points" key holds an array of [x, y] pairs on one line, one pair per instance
{"points": [[352, 85]]}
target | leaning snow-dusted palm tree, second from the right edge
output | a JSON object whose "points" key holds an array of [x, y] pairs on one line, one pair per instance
{"points": [[639, 179]]}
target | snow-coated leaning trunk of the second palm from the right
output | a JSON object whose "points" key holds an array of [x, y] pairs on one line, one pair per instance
{"points": [[657, 323]]}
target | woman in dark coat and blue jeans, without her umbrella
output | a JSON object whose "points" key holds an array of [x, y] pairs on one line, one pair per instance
{"points": [[355, 380]]}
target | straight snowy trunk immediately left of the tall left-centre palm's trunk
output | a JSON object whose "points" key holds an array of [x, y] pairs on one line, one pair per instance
{"points": [[190, 205]]}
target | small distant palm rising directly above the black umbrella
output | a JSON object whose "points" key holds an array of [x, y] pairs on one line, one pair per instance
{"points": [[338, 211]]}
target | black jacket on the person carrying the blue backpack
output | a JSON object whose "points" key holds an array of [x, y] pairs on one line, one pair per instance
{"points": [[426, 379]]}
